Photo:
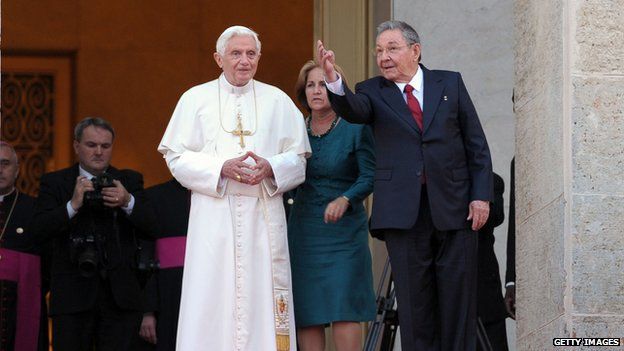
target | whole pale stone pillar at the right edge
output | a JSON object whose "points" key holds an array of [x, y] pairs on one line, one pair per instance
{"points": [[569, 72]]}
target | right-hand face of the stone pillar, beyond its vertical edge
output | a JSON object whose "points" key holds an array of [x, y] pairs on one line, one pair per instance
{"points": [[595, 87]]}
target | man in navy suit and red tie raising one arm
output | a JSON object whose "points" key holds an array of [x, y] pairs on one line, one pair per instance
{"points": [[433, 182]]}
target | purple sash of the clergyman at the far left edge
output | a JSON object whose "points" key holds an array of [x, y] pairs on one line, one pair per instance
{"points": [[25, 269]]}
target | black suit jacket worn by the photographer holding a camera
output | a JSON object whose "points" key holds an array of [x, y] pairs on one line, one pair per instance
{"points": [[71, 292]]}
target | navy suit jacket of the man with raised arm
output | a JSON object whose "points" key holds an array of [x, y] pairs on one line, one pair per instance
{"points": [[452, 152]]}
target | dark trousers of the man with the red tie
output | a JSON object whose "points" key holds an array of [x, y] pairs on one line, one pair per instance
{"points": [[435, 277]]}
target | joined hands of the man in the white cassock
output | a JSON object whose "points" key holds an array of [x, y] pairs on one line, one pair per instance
{"points": [[239, 170]]}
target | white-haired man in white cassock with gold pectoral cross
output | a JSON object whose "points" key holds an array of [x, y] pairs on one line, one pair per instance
{"points": [[238, 144]]}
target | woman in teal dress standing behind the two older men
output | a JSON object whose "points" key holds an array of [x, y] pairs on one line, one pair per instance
{"points": [[328, 225]]}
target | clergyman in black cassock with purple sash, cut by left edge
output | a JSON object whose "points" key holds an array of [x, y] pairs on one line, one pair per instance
{"points": [[22, 309]]}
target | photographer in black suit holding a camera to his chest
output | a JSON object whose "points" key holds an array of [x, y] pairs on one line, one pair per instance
{"points": [[90, 212]]}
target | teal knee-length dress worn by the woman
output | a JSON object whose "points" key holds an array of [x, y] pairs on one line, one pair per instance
{"points": [[331, 263]]}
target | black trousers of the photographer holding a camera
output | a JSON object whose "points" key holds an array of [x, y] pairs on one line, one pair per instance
{"points": [[105, 327]]}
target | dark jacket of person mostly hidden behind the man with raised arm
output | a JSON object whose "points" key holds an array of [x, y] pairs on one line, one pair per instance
{"points": [[490, 304]]}
